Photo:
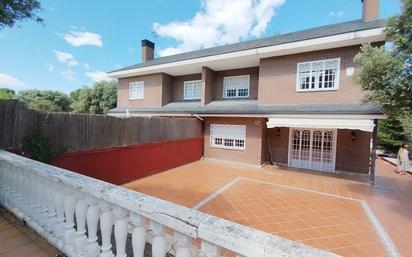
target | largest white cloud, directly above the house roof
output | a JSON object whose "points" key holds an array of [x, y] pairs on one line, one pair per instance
{"points": [[219, 22]]}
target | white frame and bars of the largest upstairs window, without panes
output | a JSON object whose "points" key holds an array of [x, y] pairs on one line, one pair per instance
{"points": [[336, 82]]}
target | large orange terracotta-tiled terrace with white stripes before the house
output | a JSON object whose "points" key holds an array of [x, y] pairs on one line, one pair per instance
{"points": [[316, 209]]}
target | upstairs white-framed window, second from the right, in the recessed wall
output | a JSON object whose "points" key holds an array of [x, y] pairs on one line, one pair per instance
{"points": [[236, 86]]}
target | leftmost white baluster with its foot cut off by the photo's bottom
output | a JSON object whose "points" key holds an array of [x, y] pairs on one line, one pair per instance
{"points": [[106, 227]]}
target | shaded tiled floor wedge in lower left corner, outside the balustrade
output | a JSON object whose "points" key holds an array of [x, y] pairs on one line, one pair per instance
{"points": [[18, 240]]}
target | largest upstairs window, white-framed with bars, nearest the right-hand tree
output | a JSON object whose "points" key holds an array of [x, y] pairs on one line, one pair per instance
{"points": [[318, 75]]}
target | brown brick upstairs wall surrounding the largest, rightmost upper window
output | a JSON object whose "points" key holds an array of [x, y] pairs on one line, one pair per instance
{"points": [[277, 79]]}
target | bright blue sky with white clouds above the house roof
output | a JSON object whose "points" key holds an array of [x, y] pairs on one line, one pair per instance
{"points": [[81, 40]]}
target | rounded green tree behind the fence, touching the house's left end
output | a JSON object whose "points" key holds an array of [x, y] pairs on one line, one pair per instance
{"points": [[95, 100]]}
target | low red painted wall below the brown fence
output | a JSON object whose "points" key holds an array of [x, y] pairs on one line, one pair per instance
{"points": [[123, 164]]}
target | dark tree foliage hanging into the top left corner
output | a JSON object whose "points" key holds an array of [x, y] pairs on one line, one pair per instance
{"points": [[12, 11]]}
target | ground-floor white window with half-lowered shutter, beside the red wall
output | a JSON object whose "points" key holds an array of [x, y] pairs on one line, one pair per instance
{"points": [[228, 136]]}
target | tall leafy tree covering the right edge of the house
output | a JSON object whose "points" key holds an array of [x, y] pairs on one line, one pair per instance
{"points": [[386, 75]]}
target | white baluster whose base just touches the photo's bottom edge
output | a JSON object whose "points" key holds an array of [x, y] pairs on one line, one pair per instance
{"points": [[92, 219]]}
